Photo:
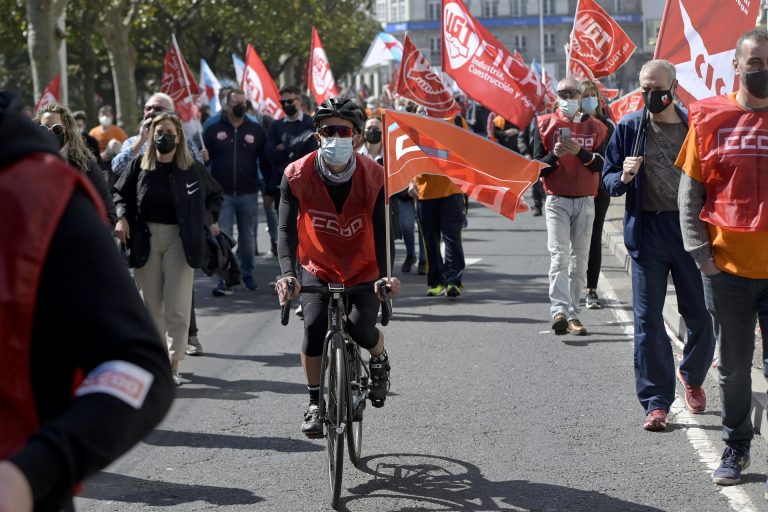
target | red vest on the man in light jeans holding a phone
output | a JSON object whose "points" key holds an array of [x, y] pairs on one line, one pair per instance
{"points": [[571, 177]]}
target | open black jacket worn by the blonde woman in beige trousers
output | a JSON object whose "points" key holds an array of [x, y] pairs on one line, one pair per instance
{"points": [[197, 199]]}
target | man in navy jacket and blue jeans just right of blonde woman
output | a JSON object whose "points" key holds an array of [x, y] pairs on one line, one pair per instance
{"points": [[235, 147]]}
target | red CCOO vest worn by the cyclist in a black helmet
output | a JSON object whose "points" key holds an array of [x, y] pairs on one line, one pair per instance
{"points": [[337, 247]]}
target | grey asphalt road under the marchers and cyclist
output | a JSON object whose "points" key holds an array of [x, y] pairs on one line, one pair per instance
{"points": [[488, 410]]}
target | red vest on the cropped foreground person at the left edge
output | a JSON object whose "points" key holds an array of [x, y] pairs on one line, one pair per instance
{"points": [[34, 192]]}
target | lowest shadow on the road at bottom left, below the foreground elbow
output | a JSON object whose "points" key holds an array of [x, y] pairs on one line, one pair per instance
{"points": [[128, 489]]}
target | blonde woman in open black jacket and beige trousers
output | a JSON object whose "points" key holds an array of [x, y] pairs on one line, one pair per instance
{"points": [[165, 202]]}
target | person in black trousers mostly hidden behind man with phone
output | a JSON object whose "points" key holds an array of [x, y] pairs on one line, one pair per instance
{"points": [[592, 104]]}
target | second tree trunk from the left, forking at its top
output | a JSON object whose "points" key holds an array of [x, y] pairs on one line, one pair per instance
{"points": [[115, 31]]}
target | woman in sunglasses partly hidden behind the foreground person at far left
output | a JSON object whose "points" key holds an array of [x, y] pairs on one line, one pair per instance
{"points": [[72, 148]]}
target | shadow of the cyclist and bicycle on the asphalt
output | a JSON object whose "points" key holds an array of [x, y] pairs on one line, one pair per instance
{"points": [[418, 481]]}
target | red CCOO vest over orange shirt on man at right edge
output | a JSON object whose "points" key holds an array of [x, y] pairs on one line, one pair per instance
{"points": [[733, 149]]}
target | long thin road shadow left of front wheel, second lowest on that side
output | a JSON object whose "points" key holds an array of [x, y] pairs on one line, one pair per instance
{"points": [[207, 440]]}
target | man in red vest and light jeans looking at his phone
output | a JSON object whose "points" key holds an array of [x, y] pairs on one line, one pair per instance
{"points": [[571, 144]]}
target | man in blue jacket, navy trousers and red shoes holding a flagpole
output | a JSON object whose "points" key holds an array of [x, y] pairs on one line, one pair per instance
{"points": [[654, 241]]}
